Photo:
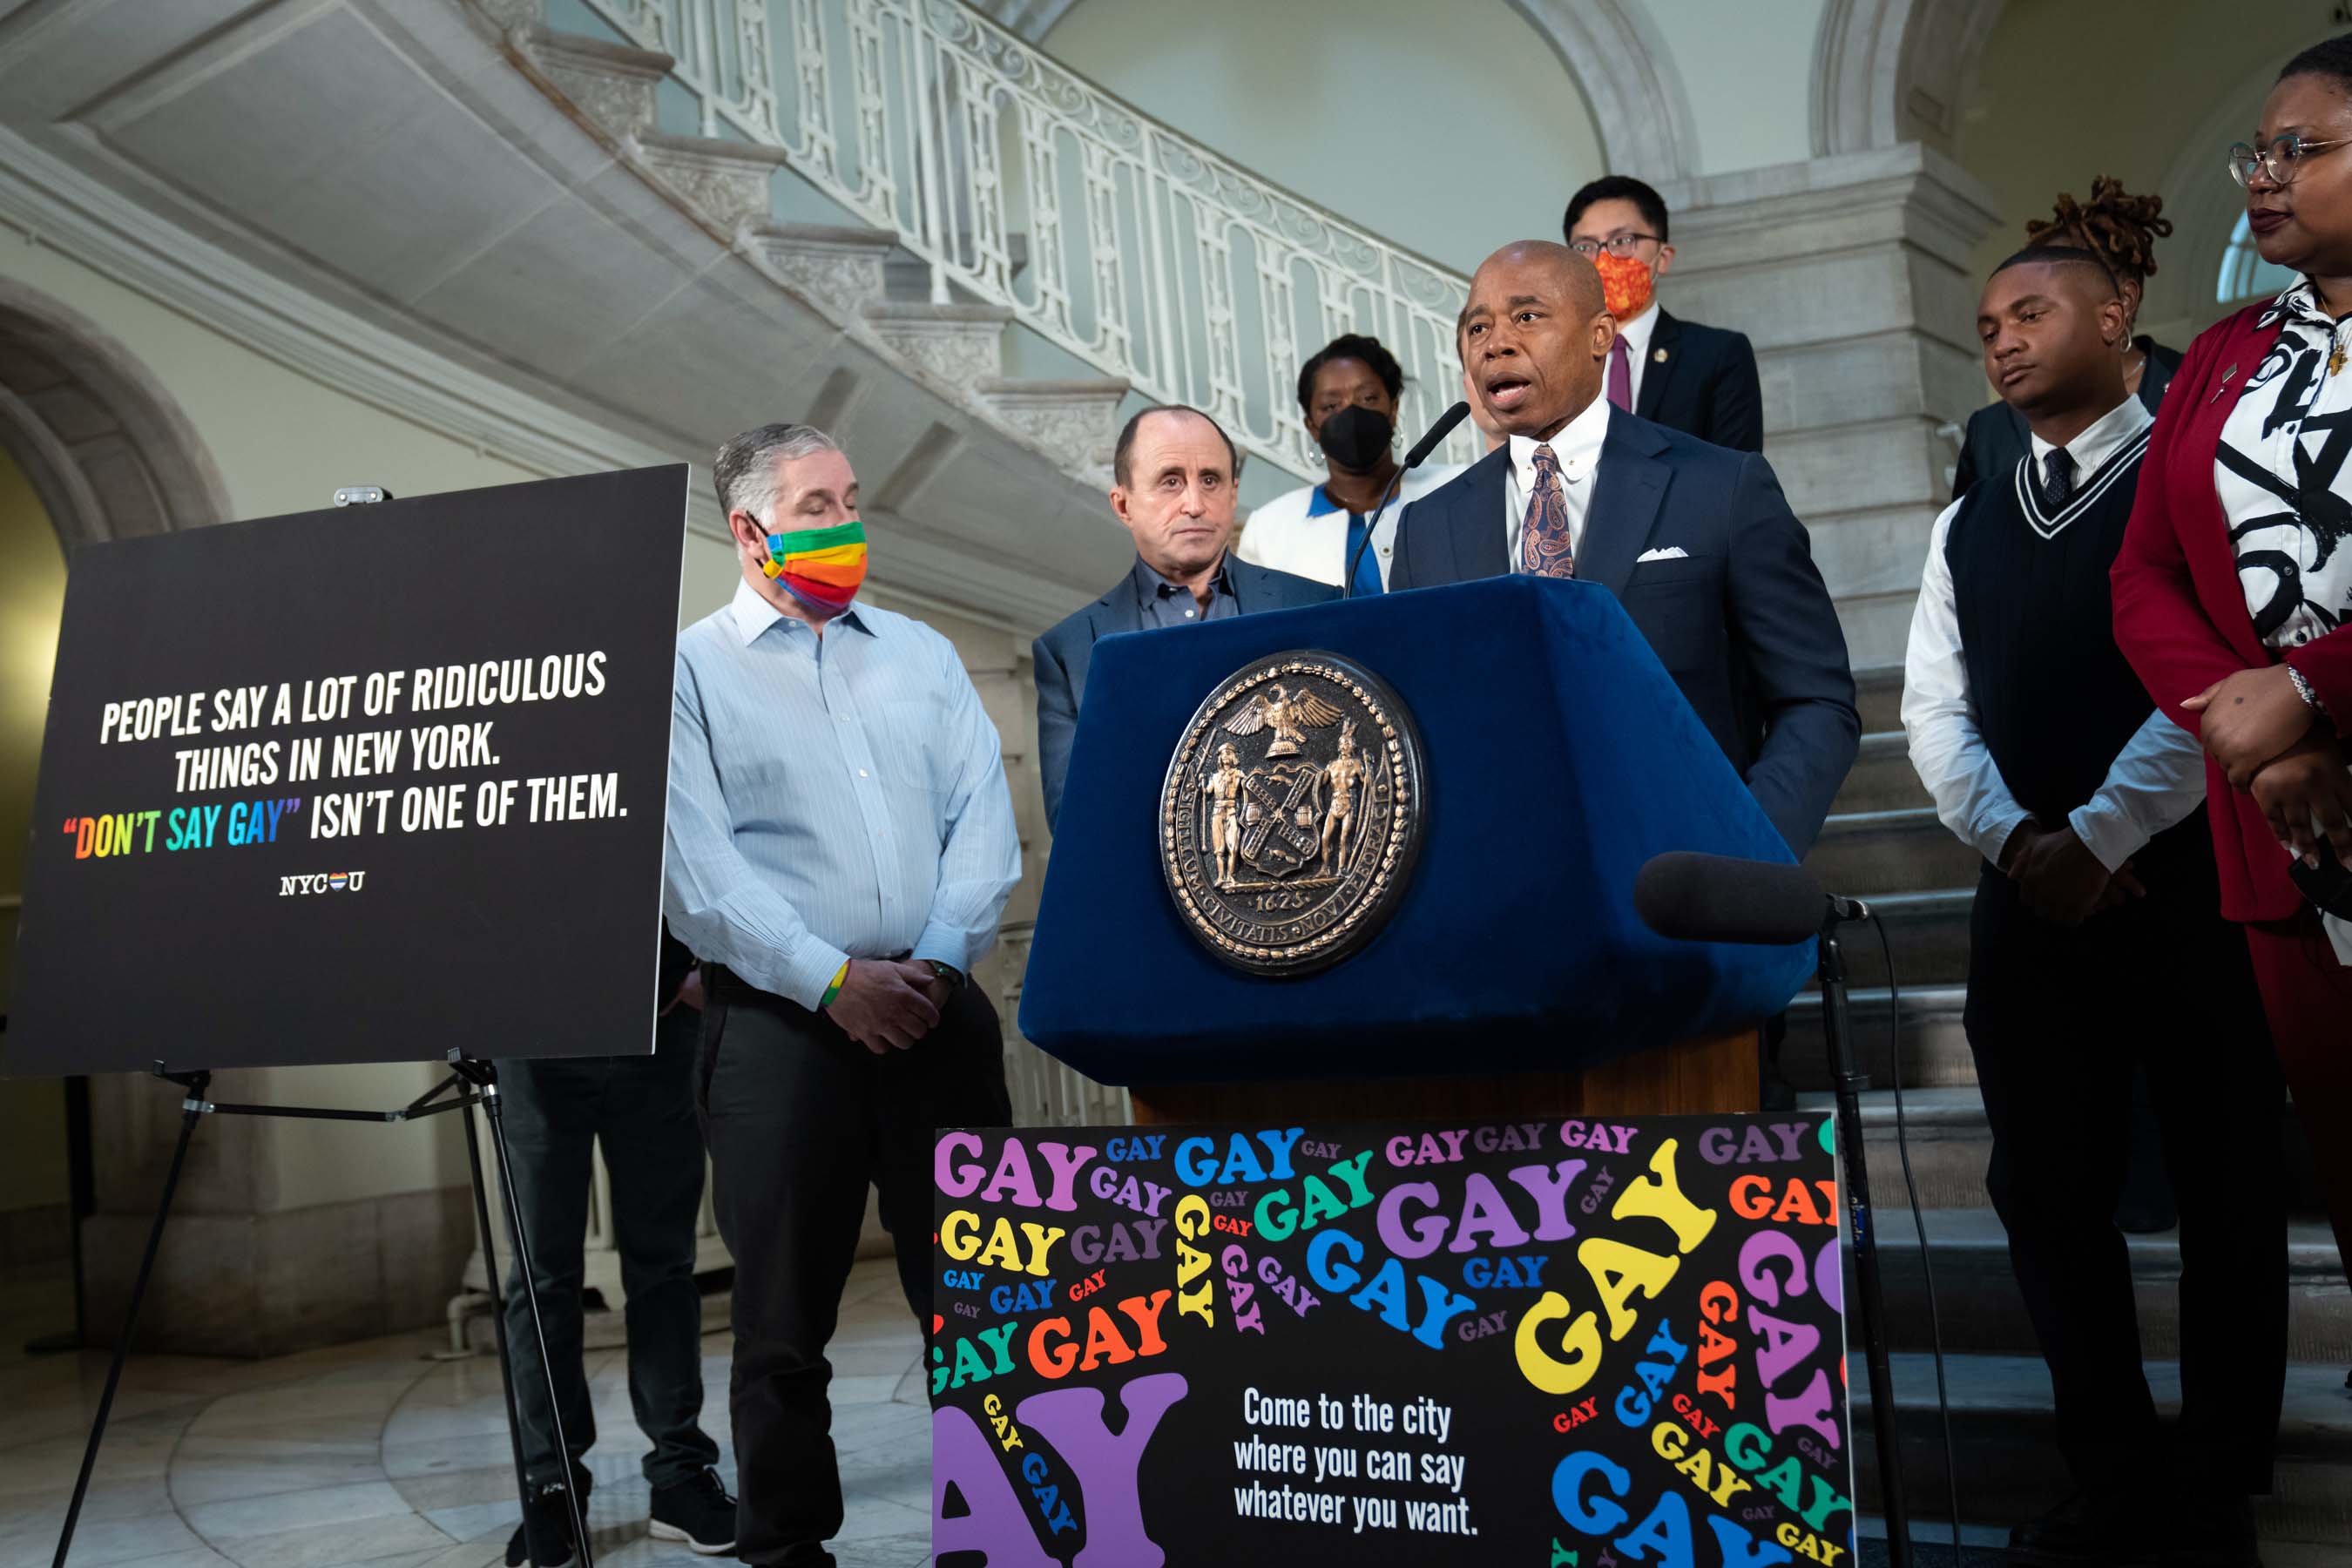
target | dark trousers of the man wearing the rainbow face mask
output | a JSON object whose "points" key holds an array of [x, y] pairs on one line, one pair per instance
{"points": [[801, 1123]]}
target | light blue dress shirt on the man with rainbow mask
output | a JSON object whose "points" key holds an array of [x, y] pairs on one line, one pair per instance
{"points": [[831, 798]]}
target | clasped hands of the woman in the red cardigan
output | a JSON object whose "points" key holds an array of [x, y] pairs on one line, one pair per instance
{"points": [[2280, 751]]}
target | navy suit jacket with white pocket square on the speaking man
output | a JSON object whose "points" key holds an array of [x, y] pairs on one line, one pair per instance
{"points": [[1742, 622]]}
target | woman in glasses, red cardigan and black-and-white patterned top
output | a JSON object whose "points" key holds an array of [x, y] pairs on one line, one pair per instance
{"points": [[2236, 584]]}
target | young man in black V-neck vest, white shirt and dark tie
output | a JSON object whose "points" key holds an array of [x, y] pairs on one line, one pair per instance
{"points": [[2097, 944]]}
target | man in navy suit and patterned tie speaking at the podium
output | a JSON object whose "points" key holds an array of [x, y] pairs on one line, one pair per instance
{"points": [[1695, 540]]}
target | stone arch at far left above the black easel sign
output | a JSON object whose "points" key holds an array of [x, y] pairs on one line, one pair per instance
{"points": [[105, 445]]}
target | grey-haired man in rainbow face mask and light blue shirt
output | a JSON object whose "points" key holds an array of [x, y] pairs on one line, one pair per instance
{"points": [[841, 850]]}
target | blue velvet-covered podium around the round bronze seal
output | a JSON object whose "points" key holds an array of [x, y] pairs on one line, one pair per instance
{"points": [[1514, 974]]}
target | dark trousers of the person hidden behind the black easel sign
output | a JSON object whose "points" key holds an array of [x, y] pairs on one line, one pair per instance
{"points": [[641, 1108]]}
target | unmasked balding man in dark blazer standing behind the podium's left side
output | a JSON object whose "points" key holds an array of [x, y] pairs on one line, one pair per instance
{"points": [[1175, 495]]}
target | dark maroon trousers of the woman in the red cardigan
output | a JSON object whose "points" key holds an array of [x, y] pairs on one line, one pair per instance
{"points": [[2308, 996]]}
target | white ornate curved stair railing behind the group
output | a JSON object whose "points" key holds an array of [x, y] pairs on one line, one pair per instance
{"points": [[1031, 189]]}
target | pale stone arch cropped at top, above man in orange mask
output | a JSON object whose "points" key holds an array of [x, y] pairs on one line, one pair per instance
{"points": [[1610, 48]]}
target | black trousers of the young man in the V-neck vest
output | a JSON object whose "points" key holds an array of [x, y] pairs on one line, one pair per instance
{"points": [[2059, 1021]]}
